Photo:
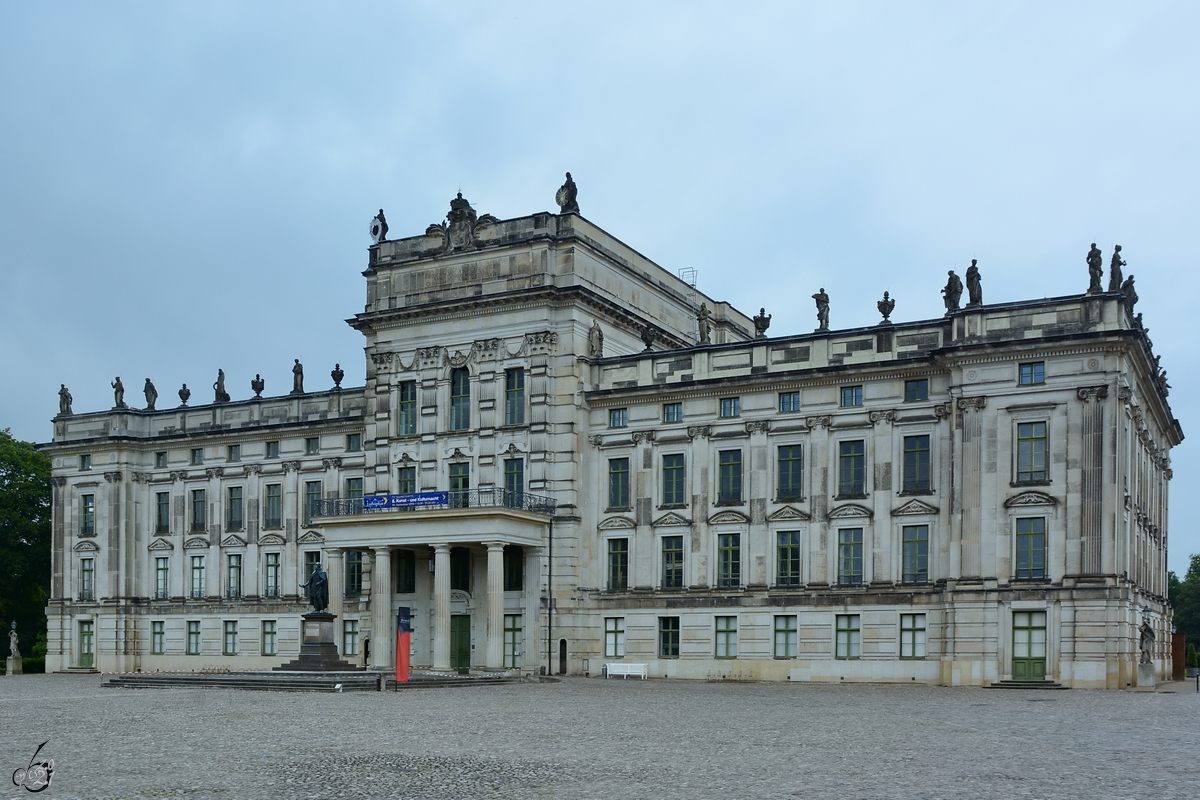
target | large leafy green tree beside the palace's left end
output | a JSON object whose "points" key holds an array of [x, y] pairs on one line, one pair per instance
{"points": [[25, 539]]}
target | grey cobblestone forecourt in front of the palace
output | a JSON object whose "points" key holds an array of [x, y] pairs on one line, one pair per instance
{"points": [[589, 738]]}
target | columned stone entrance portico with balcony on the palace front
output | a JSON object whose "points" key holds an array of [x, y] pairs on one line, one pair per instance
{"points": [[439, 537]]}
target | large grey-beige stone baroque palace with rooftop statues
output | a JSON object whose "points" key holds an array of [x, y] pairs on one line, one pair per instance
{"points": [[567, 458]]}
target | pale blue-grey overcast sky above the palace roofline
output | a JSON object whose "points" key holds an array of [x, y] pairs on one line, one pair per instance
{"points": [[188, 188]]}
